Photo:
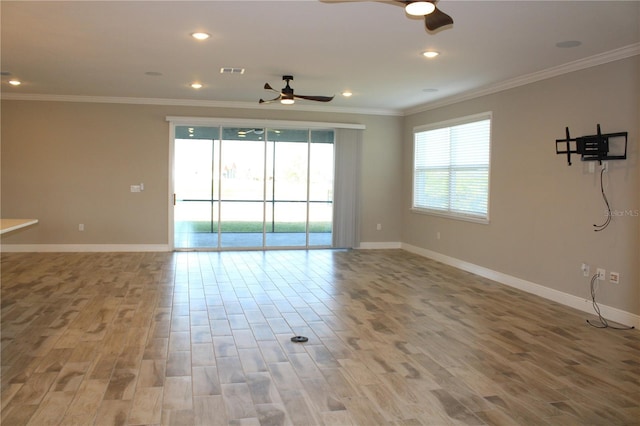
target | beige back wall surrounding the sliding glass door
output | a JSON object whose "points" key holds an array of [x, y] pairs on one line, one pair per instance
{"points": [[68, 163]]}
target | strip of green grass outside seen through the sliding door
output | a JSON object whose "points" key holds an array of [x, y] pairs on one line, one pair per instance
{"points": [[241, 226]]}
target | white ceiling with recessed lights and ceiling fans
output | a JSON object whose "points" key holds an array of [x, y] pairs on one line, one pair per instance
{"points": [[106, 49]]}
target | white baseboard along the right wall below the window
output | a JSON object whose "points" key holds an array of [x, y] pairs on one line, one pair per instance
{"points": [[613, 314]]}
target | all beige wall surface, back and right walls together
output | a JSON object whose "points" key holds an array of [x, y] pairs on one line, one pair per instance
{"points": [[69, 163]]}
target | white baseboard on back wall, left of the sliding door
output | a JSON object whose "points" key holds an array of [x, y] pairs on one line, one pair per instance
{"points": [[47, 248]]}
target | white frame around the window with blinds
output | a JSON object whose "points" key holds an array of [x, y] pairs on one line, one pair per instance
{"points": [[452, 213]]}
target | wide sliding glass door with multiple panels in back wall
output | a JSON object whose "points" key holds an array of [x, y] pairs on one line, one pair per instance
{"points": [[252, 188]]}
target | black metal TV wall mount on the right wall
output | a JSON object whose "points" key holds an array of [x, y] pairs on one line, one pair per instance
{"points": [[594, 147]]}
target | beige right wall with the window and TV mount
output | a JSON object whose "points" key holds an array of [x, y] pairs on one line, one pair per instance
{"points": [[542, 210]]}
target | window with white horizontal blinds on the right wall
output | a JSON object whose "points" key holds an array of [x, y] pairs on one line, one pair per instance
{"points": [[451, 168]]}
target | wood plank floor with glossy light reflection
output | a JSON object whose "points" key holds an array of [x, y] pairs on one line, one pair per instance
{"points": [[204, 338]]}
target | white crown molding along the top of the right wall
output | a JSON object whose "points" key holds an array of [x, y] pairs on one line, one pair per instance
{"points": [[580, 64]]}
